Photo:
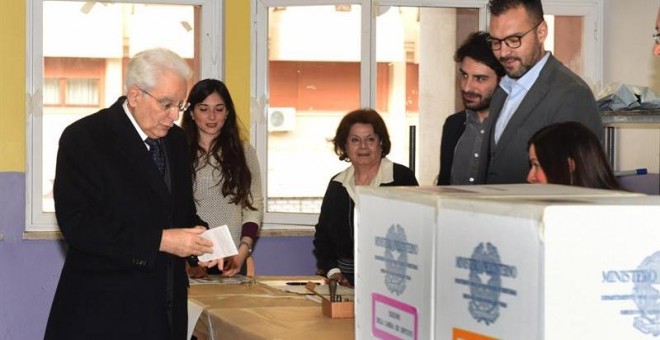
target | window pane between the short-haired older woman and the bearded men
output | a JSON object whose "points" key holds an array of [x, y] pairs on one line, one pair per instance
{"points": [[417, 86]]}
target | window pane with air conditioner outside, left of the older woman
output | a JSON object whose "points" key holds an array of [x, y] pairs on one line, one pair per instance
{"points": [[313, 80]]}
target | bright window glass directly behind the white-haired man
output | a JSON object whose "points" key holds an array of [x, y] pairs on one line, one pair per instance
{"points": [[83, 75]]}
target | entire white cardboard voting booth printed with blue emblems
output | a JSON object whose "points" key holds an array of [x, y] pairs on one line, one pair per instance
{"points": [[507, 262]]}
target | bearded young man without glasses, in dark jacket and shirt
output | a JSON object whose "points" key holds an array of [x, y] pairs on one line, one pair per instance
{"points": [[463, 132]]}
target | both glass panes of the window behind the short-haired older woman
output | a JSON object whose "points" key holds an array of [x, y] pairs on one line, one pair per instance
{"points": [[314, 63]]}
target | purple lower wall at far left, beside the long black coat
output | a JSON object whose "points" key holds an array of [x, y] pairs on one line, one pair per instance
{"points": [[29, 270]]}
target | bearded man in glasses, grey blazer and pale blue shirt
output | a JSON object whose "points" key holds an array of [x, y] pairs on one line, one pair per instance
{"points": [[536, 91]]}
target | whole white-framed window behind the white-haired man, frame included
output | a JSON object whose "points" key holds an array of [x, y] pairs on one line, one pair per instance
{"points": [[77, 54]]}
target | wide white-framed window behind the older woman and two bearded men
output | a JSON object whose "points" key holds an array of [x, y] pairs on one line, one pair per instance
{"points": [[316, 60]]}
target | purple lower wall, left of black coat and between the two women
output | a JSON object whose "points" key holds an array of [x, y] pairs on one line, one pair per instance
{"points": [[29, 270]]}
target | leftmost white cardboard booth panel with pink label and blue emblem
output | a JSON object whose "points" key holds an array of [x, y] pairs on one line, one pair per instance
{"points": [[394, 260]]}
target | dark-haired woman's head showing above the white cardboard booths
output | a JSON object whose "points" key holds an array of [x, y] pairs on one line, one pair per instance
{"points": [[569, 153]]}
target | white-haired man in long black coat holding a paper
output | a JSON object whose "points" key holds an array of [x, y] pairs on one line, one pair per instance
{"points": [[124, 203]]}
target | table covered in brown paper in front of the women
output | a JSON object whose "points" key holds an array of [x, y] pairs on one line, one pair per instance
{"points": [[259, 311]]}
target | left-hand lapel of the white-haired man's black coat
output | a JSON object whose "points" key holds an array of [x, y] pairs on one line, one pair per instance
{"points": [[127, 142]]}
